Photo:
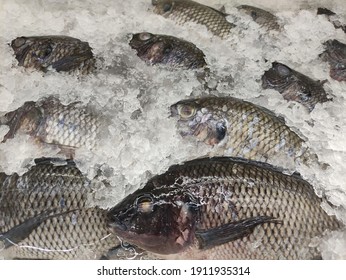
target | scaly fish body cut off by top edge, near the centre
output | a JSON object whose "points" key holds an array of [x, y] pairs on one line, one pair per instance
{"points": [[182, 11]]}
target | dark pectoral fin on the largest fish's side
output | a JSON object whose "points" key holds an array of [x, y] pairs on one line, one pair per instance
{"points": [[230, 232]]}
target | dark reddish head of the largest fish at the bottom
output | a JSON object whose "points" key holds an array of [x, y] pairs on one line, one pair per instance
{"points": [[160, 220]]}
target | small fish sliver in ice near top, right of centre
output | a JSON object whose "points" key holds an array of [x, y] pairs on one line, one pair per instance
{"points": [[263, 18]]}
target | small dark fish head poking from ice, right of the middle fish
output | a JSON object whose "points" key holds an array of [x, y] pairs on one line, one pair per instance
{"points": [[294, 86]]}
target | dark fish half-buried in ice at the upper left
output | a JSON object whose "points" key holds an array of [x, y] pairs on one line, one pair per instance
{"points": [[61, 53]]}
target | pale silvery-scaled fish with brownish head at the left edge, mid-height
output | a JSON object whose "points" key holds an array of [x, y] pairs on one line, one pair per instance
{"points": [[48, 121]]}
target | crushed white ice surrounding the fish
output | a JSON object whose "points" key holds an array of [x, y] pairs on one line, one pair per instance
{"points": [[141, 138]]}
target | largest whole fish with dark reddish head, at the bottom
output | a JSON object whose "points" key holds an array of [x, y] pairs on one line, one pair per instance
{"points": [[223, 208]]}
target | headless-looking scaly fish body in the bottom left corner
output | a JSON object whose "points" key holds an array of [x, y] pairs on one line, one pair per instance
{"points": [[45, 214]]}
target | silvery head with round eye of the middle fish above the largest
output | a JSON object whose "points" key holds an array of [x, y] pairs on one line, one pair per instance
{"points": [[197, 118]]}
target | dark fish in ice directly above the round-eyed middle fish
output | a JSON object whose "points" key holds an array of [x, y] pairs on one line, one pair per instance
{"points": [[167, 50]]}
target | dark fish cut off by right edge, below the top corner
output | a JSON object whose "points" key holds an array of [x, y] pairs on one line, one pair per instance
{"points": [[335, 55]]}
